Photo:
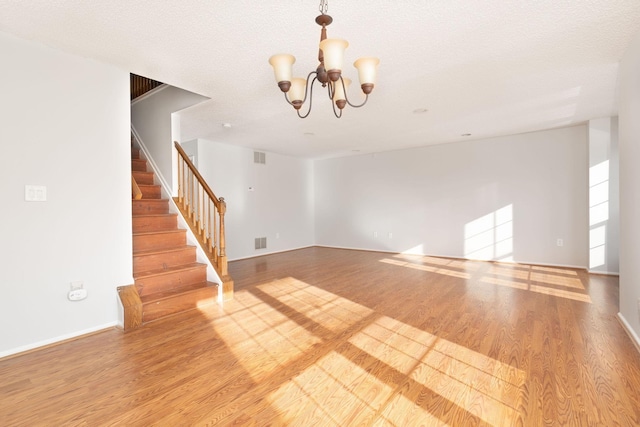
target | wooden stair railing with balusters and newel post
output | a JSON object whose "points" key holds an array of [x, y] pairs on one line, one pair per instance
{"points": [[204, 212]]}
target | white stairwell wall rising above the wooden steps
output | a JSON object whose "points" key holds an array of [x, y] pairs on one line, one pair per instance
{"points": [[152, 120]]}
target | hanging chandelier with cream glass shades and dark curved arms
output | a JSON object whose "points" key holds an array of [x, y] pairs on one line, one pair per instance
{"points": [[329, 72]]}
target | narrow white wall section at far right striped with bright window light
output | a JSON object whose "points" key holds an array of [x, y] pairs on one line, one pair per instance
{"points": [[604, 215]]}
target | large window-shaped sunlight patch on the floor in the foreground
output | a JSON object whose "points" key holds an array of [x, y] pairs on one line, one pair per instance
{"points": [[377, 374]]}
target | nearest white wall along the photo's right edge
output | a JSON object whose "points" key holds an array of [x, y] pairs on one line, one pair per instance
{"points": [[629, 146]]}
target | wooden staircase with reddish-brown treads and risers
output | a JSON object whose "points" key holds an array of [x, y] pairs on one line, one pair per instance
{"points": [[167, 277]]}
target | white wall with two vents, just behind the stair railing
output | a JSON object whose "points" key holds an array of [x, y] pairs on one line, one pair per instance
{"points": [[280, 207]]}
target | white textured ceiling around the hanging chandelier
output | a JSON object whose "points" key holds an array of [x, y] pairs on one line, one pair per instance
{"points": [[480, 67]]}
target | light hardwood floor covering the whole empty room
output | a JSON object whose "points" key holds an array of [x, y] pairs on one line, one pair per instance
{"points": [[322, 336]]}
